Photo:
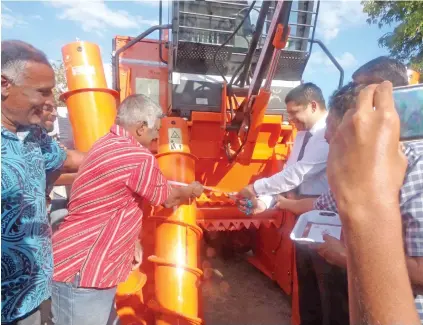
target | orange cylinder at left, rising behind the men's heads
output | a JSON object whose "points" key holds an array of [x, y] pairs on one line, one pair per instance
{"points": [[91, 105]]}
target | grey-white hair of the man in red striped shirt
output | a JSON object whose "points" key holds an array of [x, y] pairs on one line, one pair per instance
{"points": [[138, 108]]}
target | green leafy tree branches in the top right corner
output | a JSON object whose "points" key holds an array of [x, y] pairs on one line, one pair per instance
{"points": [[405, 42]]}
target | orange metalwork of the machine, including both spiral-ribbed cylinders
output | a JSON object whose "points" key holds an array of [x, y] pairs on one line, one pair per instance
{"points": [[166, 290]]}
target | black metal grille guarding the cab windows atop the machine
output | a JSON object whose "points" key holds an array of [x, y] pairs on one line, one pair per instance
{"points": [[201, 26]]}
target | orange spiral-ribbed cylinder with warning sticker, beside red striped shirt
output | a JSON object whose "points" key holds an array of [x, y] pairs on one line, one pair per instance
{"points": [[177, 235]]}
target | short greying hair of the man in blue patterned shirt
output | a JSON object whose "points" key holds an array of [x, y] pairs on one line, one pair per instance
{"points": [[14, 57]]}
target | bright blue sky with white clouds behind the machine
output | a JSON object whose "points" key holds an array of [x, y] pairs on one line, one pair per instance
{"points": [[49, 25]]}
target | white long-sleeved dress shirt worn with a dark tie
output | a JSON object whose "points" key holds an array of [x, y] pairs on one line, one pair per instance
{"points": [[308, 174]]}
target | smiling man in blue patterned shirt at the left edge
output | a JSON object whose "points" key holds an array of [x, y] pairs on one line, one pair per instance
{"points": [[28, 154]]}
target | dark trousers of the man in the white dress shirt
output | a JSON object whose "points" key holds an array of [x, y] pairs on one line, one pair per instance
{"points": [[322, 290]]}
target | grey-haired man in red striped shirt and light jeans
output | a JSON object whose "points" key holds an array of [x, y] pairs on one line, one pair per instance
{"points": [[94, 246]]}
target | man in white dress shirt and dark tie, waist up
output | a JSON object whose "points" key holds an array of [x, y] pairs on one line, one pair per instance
{"points": [[305, 170]]}
